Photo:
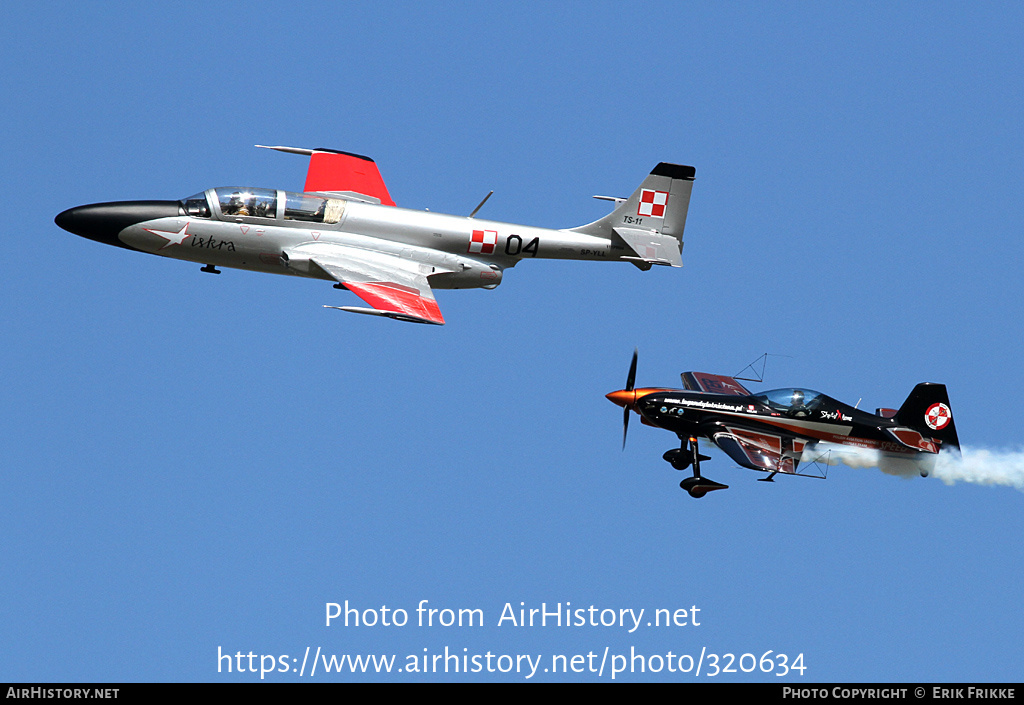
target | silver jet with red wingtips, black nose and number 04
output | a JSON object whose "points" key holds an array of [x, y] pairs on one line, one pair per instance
{"points": [[346, 229]]}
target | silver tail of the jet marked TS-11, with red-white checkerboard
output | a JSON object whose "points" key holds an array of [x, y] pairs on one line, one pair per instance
{"points": [[651, 223]]}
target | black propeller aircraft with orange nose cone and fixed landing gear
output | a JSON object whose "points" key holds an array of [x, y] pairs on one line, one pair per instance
{"points": [[774, 432]]}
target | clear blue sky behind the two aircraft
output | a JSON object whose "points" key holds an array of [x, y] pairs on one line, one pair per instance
{"points": [[197, 463]]}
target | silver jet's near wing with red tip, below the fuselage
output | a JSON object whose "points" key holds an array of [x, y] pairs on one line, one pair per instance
{"points": [[396, 287]]}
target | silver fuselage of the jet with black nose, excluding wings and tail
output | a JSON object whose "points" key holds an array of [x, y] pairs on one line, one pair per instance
{"points": [[464, 253]]}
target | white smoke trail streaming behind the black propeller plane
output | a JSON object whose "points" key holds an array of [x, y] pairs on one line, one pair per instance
{"points": [[978, 466]]}
